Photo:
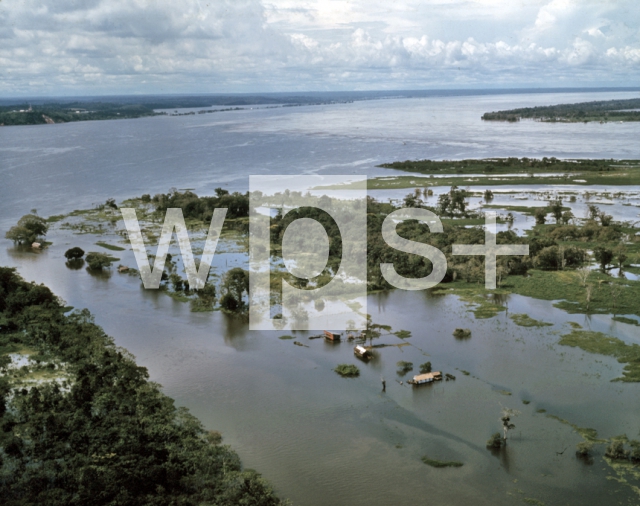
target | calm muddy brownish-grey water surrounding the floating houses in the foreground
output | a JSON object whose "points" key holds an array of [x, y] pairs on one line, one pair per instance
{"points": [[323, 439]]}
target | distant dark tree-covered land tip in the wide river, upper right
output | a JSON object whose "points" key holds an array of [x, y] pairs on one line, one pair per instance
{"points": [[603, 111]]}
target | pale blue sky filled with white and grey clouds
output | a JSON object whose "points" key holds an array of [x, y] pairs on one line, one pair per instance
{"points": [[65, 47]]}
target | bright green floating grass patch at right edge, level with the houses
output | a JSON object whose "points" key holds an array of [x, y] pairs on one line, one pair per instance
{"points": [[602, 344]]}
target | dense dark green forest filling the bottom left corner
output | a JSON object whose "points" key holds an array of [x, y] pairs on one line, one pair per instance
{"points": [[80, 423]]}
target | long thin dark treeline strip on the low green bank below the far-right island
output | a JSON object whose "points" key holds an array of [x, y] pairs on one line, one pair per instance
{"points": [[501, 165]]}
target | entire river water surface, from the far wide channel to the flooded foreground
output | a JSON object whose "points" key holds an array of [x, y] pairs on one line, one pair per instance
{"points": [[319, 438]]}
